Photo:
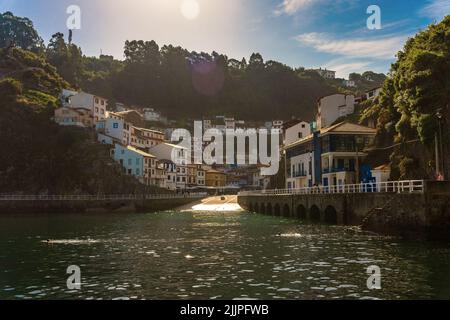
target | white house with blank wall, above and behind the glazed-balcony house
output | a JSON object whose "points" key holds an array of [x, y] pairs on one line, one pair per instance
{"points": [[333, 107]]}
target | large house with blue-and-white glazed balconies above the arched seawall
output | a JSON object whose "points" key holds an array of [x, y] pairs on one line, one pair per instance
{"points": [[328, 157]]}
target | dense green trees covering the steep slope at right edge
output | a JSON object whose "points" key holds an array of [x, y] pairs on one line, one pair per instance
{"points": [[418, 87]]}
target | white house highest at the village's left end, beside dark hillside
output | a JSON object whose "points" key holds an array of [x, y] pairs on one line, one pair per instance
{"points": [[97, 105]]}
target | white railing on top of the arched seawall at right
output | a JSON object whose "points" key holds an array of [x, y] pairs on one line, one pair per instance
{"points": [[410, 186]]}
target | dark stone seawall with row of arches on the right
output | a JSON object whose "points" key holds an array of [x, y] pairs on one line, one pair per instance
{"points": [[410, 214]]}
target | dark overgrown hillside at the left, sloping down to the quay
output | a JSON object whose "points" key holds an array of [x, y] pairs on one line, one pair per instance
{"points": [[39, 157]]}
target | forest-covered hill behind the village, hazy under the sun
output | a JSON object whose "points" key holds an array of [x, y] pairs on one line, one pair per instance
{"points": [[182, 83]]}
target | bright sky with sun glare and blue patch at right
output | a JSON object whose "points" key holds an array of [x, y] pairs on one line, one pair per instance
{"points": [[330, 34]]}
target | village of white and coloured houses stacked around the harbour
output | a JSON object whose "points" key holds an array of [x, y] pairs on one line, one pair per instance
{"points": [[316, 152]]}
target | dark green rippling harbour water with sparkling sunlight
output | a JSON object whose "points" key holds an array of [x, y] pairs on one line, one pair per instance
{"points": [[210, 255]]}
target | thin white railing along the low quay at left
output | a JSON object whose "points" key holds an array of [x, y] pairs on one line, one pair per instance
{"points": [[100, 197]]}
